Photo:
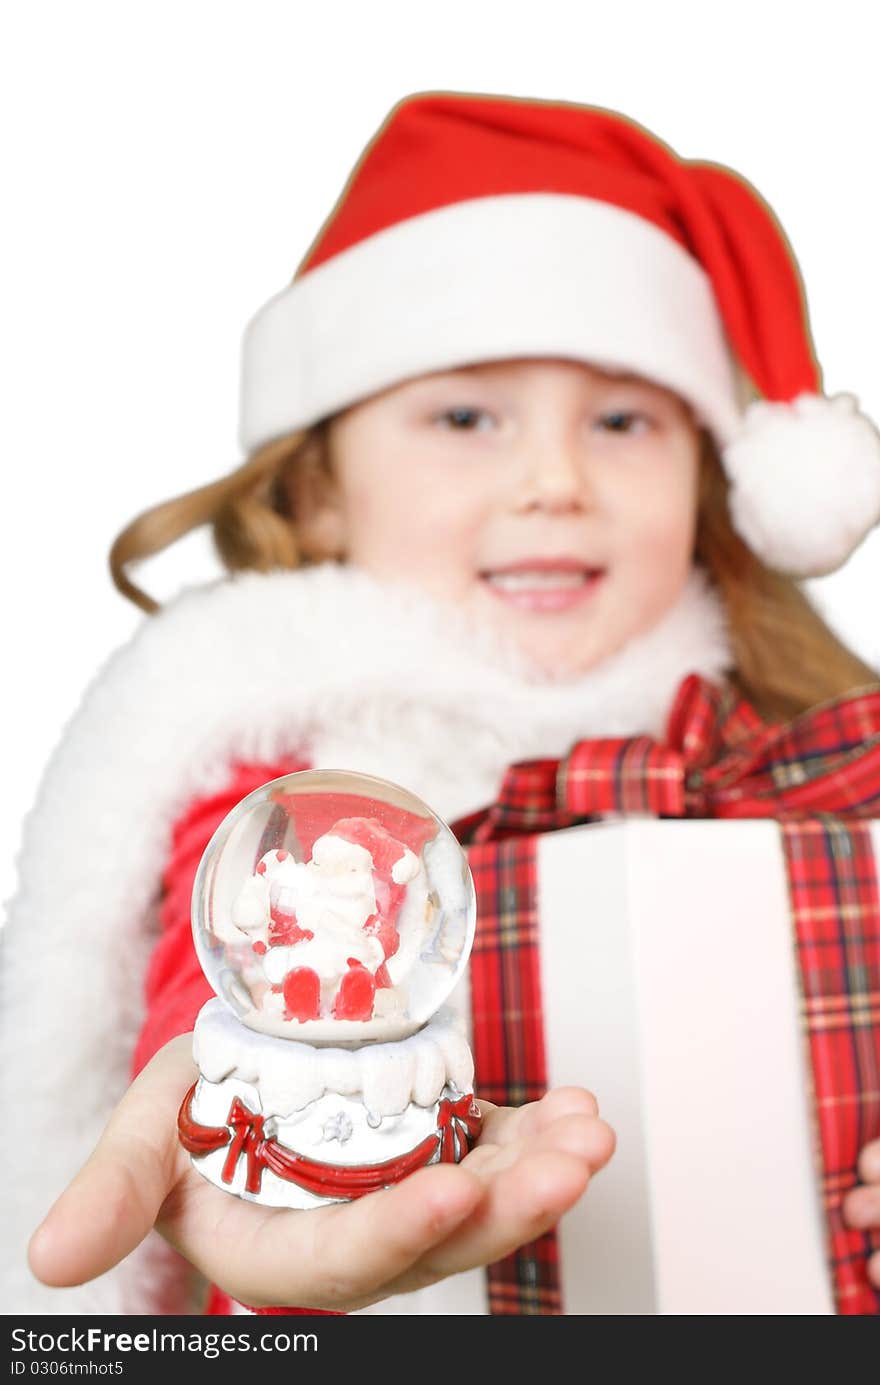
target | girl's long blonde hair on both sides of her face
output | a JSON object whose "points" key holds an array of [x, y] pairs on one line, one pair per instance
{"points": [[786, 659]]}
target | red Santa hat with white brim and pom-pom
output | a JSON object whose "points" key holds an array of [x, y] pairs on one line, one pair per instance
{"points": [[489, 228]]}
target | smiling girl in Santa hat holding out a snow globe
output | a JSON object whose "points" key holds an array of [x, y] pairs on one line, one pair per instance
{"points": [[534, 436]]}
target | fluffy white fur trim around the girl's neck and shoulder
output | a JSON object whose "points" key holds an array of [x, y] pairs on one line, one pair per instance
{"points": [[325, 661]]}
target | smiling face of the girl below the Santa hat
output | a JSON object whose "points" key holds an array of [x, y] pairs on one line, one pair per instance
{"points": [[552, 498]]}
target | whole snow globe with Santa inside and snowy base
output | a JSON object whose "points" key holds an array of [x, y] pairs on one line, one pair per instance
{"points": [[333, 916]]}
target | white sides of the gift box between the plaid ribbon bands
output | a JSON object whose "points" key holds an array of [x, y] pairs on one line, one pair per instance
{"points": [[671, 991]]}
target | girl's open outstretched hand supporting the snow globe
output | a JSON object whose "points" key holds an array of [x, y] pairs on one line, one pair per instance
{"points": [[530, 1165]]}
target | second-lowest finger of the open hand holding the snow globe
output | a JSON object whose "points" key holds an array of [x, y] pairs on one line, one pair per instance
{"points": [[523, 1203]]}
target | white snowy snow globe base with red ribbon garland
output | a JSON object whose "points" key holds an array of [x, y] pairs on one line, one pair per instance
{"points": [[294, 1125]]}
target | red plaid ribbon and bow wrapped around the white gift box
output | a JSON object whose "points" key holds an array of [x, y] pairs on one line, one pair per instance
{"points": [[820, 776]]}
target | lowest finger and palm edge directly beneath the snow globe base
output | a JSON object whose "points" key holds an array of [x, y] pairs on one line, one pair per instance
{"points": [[332, 1258]]}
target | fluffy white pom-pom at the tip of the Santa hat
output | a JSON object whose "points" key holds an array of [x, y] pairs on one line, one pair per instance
{"points": [[804, 481]]}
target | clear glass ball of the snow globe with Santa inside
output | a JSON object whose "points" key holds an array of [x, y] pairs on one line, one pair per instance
{"points": [[333, 908]]}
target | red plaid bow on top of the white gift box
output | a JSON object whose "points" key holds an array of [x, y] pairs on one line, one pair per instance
{"points": [[719, 760]]}
